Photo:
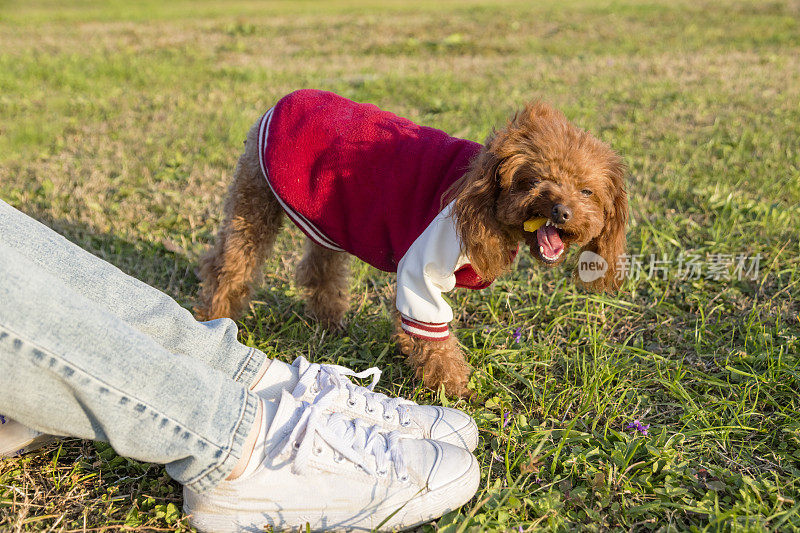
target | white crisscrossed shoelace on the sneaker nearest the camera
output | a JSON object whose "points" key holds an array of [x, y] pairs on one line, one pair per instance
{"points": [[350, 439]]}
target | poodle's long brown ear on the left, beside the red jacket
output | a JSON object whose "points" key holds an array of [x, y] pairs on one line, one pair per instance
{"points": [[482, 237]]}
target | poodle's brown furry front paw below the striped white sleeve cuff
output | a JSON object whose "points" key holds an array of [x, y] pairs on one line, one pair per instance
{"points": [[437, 363]]}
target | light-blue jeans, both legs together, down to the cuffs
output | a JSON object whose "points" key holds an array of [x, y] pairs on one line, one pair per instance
{"points": [[90, 352]]}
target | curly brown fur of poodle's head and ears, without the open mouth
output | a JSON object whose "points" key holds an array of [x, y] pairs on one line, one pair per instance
{"points": [[540, 160]]}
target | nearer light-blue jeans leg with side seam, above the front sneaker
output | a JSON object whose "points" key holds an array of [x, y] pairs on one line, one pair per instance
{"points": [[70, 367]]}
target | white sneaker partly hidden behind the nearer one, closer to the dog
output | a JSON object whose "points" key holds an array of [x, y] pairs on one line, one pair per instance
{"points": [[393, 414]]}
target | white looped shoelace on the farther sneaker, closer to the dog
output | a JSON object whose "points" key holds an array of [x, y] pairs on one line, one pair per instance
{"points": [[327, 379]]}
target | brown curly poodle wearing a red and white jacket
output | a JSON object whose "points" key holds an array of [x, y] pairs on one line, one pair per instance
{"points": [[539, 166]]}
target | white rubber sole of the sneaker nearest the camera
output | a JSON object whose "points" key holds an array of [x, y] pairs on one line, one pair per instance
{"points": [[417, 511]]}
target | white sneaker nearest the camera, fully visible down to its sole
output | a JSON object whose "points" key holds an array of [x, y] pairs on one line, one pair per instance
{"points": [[332, 472]]}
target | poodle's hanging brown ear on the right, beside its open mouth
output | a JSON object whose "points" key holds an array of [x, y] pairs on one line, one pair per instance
{"points": [[610, 244]]}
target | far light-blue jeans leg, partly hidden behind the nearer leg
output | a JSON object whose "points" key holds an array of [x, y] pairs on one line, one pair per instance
{"points": [[143, 307]]}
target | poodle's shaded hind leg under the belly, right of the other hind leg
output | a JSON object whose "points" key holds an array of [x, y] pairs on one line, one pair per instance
{"points": [[324, 274]]}
